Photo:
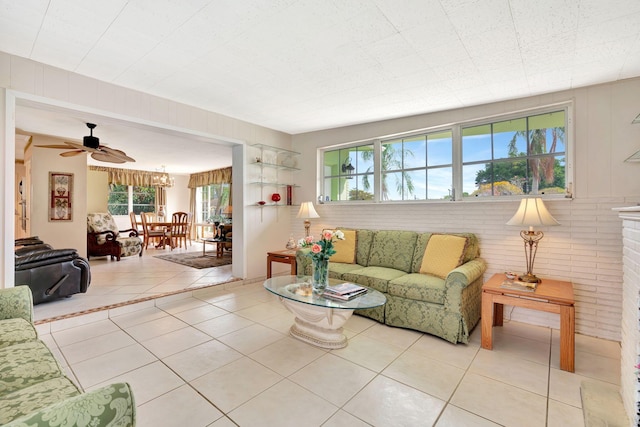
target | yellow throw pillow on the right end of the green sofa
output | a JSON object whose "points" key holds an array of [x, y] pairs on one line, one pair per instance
{"points": [[442, 254]]}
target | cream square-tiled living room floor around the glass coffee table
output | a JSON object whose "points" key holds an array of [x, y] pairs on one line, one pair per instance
{"points": [[222, 356]]}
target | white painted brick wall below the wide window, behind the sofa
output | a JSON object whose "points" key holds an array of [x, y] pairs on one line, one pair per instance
{"points": [[586, 248]]}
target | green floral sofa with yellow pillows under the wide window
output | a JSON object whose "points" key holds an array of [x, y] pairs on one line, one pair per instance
{"points": [[430, 286]]}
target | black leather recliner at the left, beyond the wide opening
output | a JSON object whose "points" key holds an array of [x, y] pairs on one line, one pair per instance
{"points": [[51, 273]]}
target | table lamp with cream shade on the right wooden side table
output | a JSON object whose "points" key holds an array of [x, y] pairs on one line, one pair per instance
{"points": [[532, 212]]}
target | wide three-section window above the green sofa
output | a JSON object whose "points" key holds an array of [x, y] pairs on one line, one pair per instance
{"points": [[514, 156]]}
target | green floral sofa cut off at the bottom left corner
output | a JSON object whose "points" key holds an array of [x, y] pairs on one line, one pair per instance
{"points": [[34, 390]]}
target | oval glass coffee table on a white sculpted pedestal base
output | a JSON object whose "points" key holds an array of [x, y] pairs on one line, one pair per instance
{"points": [[319, 320]]}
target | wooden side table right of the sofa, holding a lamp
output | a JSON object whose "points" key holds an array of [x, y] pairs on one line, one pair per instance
{"points": [[553, 296]]}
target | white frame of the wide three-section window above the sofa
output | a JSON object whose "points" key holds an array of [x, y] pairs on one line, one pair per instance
{"points": [[456, 130]]}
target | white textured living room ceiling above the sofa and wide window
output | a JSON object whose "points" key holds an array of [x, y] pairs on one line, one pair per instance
{"points": [[304, 65]]}
